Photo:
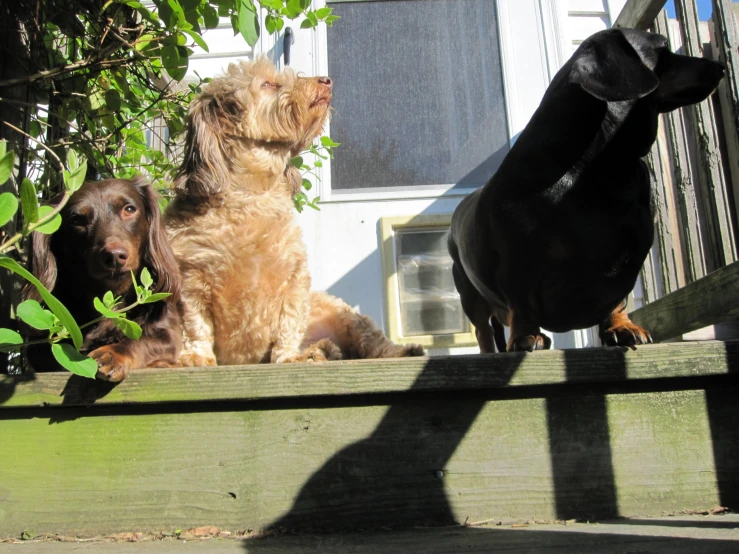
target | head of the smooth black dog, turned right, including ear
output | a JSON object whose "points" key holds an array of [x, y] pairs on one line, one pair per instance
{"points": [[626, 64]]}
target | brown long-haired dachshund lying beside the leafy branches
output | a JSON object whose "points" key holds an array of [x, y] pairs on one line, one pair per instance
{"points": [[109, 229]]}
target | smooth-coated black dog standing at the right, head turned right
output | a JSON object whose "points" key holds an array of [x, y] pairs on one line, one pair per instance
{"points": [[557, 237]]}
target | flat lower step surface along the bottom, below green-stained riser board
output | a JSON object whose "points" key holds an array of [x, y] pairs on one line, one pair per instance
{"points": [[676, 534]]}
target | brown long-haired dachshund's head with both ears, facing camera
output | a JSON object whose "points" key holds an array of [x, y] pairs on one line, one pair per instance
{"points": [[109, 229]]}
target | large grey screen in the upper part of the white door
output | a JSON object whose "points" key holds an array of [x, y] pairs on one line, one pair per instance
{"points": [[418, 93]]}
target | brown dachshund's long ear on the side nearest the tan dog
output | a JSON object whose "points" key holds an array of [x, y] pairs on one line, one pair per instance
{"points": [[159, 256]]}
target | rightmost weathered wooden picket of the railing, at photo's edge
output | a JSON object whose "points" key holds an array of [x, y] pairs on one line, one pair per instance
{"points": [[725, 48]]}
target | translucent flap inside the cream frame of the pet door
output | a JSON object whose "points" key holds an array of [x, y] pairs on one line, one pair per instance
{"points": [[429, 302]]}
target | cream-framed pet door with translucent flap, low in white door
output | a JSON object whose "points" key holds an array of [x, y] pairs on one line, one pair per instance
{"points": [[422, 302]]}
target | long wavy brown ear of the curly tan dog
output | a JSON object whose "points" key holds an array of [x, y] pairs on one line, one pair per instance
{"points": [[205, 168]]}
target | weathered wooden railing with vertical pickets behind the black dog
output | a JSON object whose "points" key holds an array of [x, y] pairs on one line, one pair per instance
{"points": [[695, 162]]}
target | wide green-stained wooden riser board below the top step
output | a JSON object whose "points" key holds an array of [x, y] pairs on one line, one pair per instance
{"points": [[440, 460]]}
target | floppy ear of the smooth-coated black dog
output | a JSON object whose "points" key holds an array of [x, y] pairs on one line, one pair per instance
{"points": [[608, 67]]}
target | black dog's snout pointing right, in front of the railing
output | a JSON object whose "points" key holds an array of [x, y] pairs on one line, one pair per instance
{"points": [[685, 80]]}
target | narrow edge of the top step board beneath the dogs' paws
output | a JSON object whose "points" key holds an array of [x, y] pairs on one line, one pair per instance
{"points": [[362, 377]]}
